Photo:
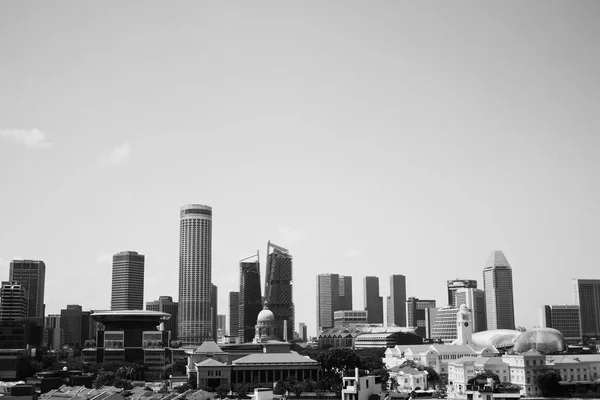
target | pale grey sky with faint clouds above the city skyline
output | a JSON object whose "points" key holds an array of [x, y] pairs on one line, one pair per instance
{"points": [[368, 138]]}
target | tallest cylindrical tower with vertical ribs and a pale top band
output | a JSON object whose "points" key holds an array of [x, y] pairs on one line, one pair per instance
{"points": [[195, 269]]}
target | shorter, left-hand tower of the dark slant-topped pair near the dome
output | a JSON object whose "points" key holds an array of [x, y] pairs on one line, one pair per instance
{"points": [[250, 298]]}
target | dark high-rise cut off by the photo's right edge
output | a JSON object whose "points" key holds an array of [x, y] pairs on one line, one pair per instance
{"points": [[586, 294]]}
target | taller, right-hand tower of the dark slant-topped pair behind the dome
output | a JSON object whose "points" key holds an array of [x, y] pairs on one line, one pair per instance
{"points": [[278, 290]]}
